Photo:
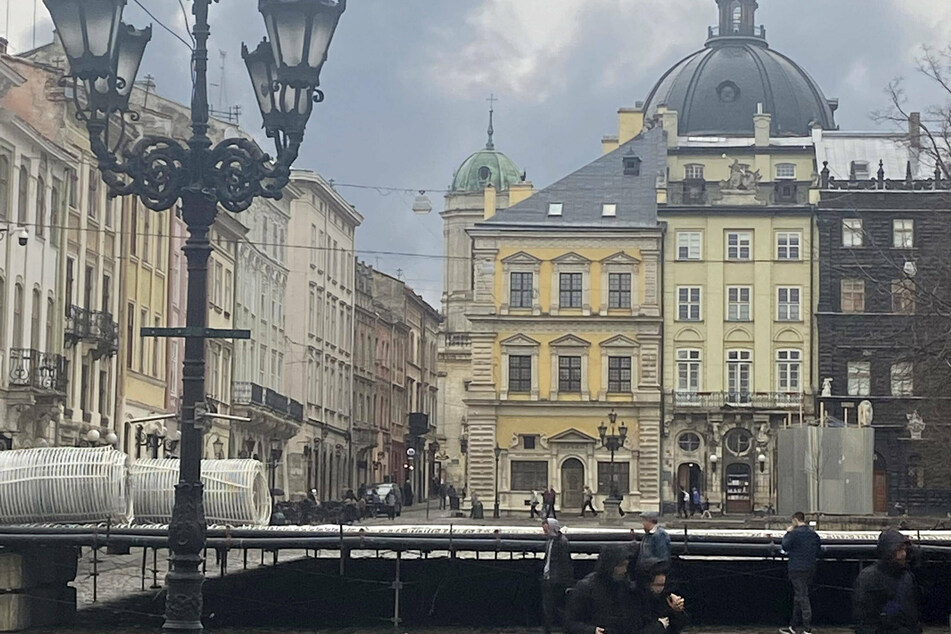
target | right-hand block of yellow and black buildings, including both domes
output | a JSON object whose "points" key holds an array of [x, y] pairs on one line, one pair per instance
{"points": [[732, 265]]}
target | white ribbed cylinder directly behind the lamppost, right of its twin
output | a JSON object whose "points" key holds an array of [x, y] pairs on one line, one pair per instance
{"points": [[236, 491]]}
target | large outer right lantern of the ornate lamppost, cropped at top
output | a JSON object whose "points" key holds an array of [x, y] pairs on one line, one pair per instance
{"points": [[300, 33]]}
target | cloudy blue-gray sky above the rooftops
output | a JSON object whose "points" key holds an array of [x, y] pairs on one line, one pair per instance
{"points": [[407, 82]]}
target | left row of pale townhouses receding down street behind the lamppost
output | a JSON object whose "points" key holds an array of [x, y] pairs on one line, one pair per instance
{"points": [[340, 365]]}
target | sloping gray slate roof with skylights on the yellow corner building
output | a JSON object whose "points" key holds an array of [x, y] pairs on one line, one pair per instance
{"points": [[583, 192]]}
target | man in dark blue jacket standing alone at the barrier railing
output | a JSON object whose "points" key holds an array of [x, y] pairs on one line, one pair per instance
{"points": [[802, 546]]}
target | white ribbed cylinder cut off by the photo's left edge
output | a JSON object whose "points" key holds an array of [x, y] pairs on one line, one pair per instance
{"points": [[64, 485]]}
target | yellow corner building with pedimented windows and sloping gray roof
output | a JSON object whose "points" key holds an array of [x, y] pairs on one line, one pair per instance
{"points": [[565, 325]]}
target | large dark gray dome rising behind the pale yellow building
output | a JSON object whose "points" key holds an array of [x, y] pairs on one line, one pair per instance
{"points": [[716, 91]]}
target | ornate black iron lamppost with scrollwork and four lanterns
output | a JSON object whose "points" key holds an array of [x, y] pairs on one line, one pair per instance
{"points": [[104, 55]]}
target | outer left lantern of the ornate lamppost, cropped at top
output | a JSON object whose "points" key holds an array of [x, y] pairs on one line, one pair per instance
{"points": [[88, 30]]}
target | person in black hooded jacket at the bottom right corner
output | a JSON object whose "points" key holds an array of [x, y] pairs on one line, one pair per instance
{"points": [[885, 598]]}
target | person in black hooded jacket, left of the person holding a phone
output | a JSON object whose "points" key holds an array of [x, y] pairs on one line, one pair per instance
{"points": [[604, 602]]}
